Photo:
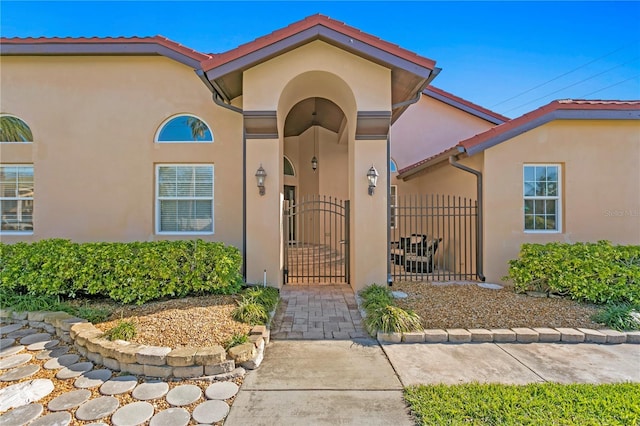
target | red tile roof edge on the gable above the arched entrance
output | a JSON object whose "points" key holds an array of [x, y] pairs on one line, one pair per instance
{"points": [[310, 22]]}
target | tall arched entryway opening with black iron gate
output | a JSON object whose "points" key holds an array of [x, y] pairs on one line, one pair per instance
{"points": [[316, 208]]}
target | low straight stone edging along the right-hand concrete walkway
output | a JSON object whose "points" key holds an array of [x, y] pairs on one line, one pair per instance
{"points": [[513, 335]]}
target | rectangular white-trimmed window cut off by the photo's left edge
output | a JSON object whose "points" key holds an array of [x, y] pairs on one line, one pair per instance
{"points": [[16, 198]]}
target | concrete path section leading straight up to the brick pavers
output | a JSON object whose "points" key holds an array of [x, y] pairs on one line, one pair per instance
{"points": [[321, 383]]}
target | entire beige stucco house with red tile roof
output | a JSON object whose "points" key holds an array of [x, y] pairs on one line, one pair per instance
{"points": [[317, 150]]}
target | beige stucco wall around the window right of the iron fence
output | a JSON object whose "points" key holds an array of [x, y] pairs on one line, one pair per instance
{"points": [[600, 181]]}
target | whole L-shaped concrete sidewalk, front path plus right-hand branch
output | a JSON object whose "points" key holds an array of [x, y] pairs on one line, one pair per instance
{"points": [[359, 382]]}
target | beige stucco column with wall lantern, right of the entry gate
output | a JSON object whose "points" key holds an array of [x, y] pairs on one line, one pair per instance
{"points": [[368, 240]]}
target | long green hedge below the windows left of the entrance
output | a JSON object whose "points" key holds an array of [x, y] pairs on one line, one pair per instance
{"points": [[126, 272]]}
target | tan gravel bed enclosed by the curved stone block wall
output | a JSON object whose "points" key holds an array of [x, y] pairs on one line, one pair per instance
{"points": [[188, 322]]}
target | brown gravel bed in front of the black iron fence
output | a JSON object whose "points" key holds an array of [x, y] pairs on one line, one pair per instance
{"points": [[471, 306]]}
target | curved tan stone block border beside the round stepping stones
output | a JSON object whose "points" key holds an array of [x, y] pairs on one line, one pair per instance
{"points": [[144, 360]]}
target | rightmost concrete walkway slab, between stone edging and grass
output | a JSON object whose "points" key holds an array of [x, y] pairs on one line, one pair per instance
{"points": [[581, 363]]}
